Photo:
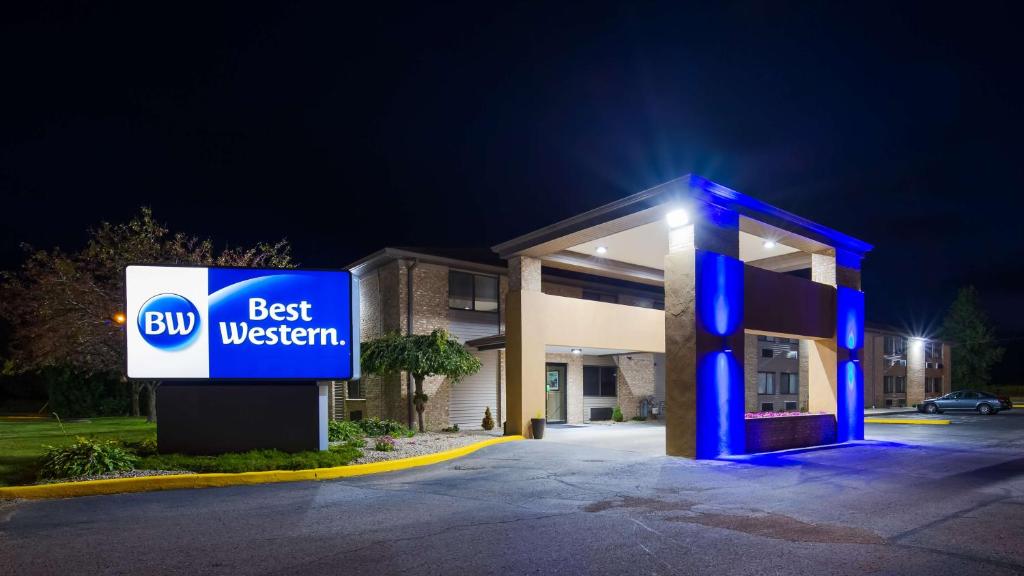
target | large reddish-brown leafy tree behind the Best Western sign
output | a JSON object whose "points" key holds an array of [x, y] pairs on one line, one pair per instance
{"points": [[67, 309]]}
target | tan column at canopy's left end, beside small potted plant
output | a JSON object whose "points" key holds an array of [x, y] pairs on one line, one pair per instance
{"points": [[524, 348]]}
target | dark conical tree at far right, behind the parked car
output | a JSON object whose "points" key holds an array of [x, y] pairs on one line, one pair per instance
{"points": [[973, 341]]}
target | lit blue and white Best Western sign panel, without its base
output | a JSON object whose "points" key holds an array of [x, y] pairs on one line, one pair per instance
{"points": [[241, 323]]}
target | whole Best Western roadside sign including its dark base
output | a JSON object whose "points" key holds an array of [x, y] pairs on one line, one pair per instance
{"points": [[245, 353]]}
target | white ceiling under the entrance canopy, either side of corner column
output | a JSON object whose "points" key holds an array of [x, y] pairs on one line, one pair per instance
{"points": [[648, 245]]}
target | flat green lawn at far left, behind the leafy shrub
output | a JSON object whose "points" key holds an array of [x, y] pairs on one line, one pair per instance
{"points": [[22, 442]]}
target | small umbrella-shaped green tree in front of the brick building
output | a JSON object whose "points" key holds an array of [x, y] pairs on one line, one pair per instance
{"points": [[437, 354]]}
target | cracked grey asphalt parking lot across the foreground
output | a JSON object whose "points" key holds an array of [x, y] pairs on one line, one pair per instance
{"points": [[931, 500]]}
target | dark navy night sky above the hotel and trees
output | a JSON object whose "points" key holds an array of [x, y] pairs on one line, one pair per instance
{"points": [[464, 126]]}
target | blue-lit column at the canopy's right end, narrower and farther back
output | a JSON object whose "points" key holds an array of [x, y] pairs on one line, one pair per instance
{"points": [[850, 341]]}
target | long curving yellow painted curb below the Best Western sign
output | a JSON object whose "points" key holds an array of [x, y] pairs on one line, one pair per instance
{"points": [[176, 482]]}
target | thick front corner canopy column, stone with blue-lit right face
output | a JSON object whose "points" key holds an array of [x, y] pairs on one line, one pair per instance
{"points": [[704, 334]]}
